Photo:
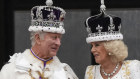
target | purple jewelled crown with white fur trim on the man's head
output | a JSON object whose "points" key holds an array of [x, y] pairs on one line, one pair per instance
{"points": [[47, 18]]}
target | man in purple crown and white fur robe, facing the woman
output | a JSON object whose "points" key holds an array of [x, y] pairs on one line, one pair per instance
{"points": [[40, 61]]}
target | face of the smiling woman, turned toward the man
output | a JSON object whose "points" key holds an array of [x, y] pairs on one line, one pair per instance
{"points": [[99, 52]]}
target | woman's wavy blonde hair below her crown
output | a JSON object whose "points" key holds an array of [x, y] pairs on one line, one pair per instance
{"points": [[118, 50]]}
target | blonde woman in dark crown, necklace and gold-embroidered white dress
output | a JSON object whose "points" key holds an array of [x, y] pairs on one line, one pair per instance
{"points": [[108, 49]]}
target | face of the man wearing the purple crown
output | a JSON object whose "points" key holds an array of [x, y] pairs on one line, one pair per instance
{"points": [[50, 44]]}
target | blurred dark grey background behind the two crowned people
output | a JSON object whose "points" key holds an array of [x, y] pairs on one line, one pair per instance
{"points": [[15, 20]]}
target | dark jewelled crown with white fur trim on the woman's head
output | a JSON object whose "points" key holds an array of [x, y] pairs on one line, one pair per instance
{"points": [[103, 27]]}
